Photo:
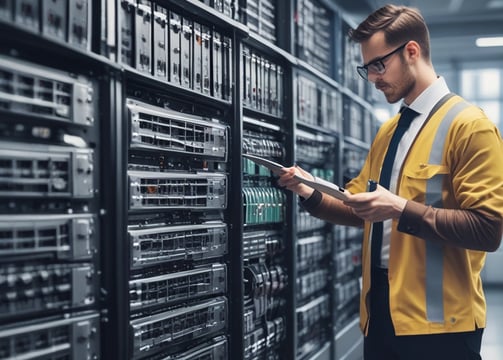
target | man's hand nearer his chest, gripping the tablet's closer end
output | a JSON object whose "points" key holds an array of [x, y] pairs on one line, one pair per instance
{"points": [[378, 205]]}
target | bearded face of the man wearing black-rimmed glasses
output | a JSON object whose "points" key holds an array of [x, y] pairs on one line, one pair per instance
{"points": [[387, 68]]}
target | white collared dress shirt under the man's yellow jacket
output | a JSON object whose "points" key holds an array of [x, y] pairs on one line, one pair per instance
{"points": [[423, 104]]}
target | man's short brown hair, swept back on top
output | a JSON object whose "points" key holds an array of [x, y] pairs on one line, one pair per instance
{"points": [[399, 24]]}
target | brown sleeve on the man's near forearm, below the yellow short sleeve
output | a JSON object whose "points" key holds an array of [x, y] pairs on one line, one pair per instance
{"points": [[468, 229]]}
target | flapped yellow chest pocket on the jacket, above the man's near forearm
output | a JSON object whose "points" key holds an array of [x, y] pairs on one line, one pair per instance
{"points": [[423, 183]]}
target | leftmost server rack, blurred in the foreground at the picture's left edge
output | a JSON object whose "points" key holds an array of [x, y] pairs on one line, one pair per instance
{"points": [[52, 188]]}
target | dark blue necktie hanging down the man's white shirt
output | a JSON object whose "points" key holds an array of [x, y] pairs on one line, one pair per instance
{"points": [[377, 229]]}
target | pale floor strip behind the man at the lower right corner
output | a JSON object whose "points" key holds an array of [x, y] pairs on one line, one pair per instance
{"points": [[492, 347]]}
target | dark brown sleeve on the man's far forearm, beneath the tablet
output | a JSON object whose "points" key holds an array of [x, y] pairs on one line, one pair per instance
{"points": [[330, 209]]}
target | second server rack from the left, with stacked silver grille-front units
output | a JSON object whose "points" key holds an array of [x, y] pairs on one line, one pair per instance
{"points": [[178, 179]]}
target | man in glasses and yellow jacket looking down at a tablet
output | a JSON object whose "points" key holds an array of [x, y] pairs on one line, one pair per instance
{"points": [[436, 211]]}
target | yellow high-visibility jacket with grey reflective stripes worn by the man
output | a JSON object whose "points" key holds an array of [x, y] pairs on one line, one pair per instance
{"points": [[435, 286]]}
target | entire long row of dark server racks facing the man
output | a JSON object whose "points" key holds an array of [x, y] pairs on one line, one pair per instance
{"points": [[171, 245]]}
